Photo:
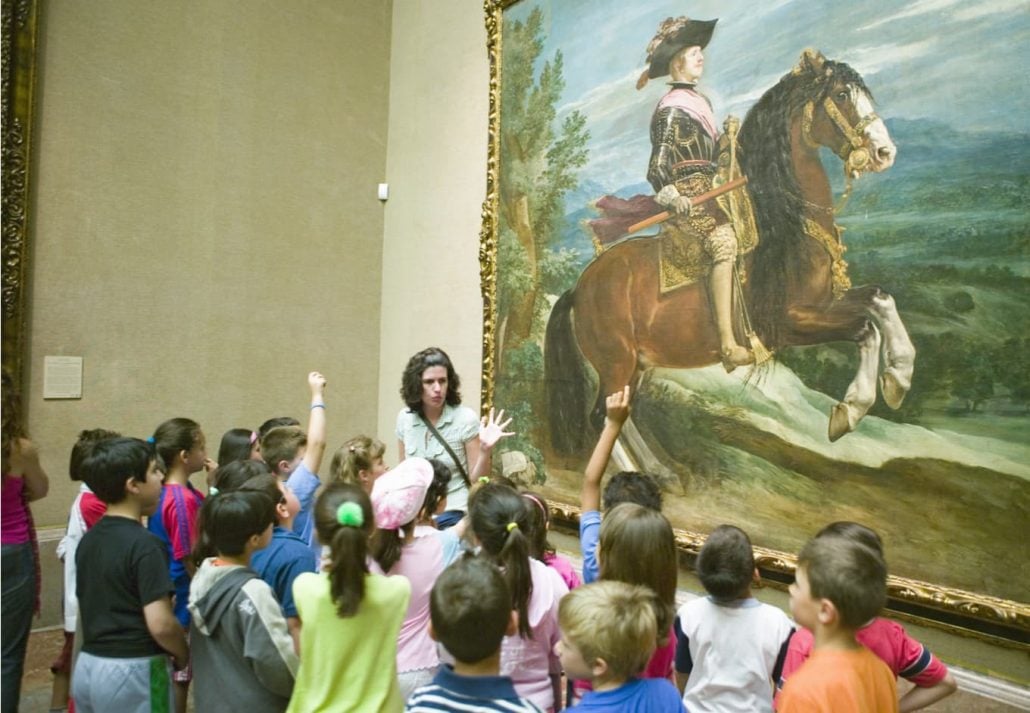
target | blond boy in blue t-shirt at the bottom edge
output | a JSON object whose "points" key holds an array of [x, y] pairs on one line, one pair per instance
{"points": [[609, 631]]}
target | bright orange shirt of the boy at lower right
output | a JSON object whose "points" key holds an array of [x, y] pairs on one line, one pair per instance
{"points": [[841, 683]]}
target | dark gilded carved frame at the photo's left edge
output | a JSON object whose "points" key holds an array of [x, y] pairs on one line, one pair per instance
{"points": [[19, 54]]}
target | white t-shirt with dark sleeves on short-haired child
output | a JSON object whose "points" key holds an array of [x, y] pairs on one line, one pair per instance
{"points": [[731, 652]]}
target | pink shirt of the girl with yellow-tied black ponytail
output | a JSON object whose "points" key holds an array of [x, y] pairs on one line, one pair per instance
{"points": [[530, 663]]}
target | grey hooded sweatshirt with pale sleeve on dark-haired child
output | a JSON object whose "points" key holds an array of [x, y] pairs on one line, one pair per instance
{"points": [[243, 655]]}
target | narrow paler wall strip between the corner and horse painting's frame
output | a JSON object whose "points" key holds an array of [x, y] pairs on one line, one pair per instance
{"points": [[436, 165]]}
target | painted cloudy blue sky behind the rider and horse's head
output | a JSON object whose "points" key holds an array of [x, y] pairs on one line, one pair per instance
{"points": [[960, 62]]}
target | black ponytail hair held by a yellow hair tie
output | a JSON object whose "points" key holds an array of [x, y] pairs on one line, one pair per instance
{"points": [[500, 519]]}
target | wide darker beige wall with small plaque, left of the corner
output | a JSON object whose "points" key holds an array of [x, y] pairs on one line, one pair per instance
{"points": [[208, 228]]}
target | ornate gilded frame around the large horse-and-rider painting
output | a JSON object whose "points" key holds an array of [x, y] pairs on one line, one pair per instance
{"points": [[1002, 622]]}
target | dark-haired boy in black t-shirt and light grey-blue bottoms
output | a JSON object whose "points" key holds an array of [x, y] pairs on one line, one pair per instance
{"points": [[124, 590]]}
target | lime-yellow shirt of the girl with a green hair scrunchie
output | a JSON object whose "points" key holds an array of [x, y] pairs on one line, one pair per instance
{"points": [[349, 664]]}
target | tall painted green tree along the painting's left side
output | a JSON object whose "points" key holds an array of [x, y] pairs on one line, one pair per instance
{"points": [[540, 159]]}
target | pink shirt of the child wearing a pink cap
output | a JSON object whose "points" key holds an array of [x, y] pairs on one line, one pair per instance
{"points": [[421, 563]]}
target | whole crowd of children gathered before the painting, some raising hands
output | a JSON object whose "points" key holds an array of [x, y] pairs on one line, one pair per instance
{"points": [[281, 592]]}
